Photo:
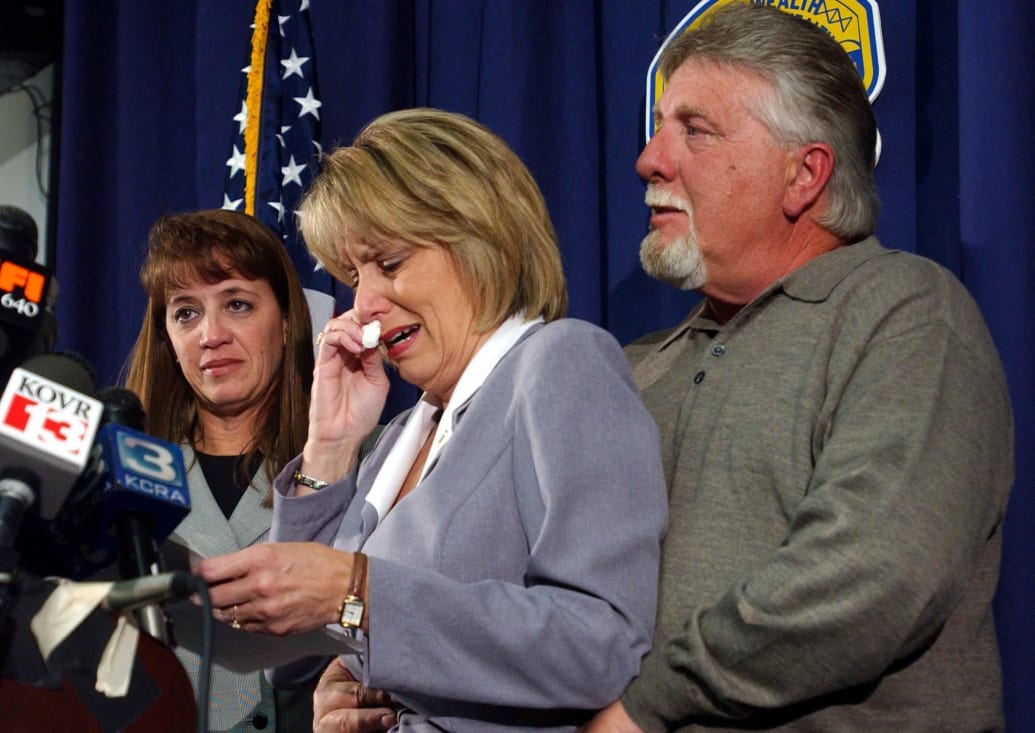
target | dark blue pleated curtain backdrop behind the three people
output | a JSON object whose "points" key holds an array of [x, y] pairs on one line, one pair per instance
{"points": [[151, 89]]}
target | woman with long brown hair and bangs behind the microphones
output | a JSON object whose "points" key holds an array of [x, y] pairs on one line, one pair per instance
{"points": [[223, 366]]}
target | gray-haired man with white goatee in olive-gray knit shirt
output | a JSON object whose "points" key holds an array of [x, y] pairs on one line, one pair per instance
{"points": [[836, 425]]}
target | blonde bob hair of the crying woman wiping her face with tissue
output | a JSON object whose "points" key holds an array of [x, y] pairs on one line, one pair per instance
{"points": [[435, 179]]}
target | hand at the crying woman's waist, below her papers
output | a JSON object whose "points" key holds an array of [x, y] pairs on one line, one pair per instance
{"points": [[343, 706]]}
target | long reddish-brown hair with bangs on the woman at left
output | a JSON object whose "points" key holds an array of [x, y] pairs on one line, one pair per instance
{"points": [[211, 247]]}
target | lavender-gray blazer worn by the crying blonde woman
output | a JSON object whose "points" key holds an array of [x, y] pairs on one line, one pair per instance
{"points": [[516, 588]]}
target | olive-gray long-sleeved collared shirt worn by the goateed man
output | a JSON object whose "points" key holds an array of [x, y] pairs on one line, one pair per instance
{"points": [[839, 458]]}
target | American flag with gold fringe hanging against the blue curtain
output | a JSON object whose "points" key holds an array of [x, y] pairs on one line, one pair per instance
{"points": [[277, 137]]}
